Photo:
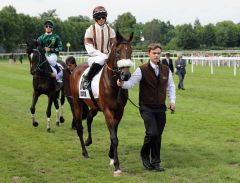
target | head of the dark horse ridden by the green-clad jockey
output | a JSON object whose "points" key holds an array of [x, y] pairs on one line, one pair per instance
{"points": [[34, 55]]}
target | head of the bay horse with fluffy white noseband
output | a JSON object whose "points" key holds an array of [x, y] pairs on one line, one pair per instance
{"points": [[120, 56]]}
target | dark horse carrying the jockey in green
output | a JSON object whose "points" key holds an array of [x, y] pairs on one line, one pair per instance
{"points": [[44, 83]]}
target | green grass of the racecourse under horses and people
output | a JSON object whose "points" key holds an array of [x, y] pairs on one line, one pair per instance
{"points": [[201, 140]]}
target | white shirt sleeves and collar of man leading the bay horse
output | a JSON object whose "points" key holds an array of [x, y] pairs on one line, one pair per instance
{"points": [[137, 76]]}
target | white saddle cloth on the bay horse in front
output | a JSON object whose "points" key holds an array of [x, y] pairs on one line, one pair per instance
{"points": [[83, 92]]}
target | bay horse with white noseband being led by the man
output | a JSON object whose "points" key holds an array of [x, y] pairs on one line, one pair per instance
{"points": [[112, 99]]}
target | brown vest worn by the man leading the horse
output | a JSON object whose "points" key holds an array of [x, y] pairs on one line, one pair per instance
{"points": [[152, 88]]}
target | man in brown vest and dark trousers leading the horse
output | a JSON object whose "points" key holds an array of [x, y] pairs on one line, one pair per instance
{"points": [[156, 82]]}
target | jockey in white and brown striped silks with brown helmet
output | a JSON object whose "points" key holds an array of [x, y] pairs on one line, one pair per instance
{"points": [[98, 41]]}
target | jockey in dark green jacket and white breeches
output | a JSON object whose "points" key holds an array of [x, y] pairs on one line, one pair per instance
{"points": [[51, 46]]}
